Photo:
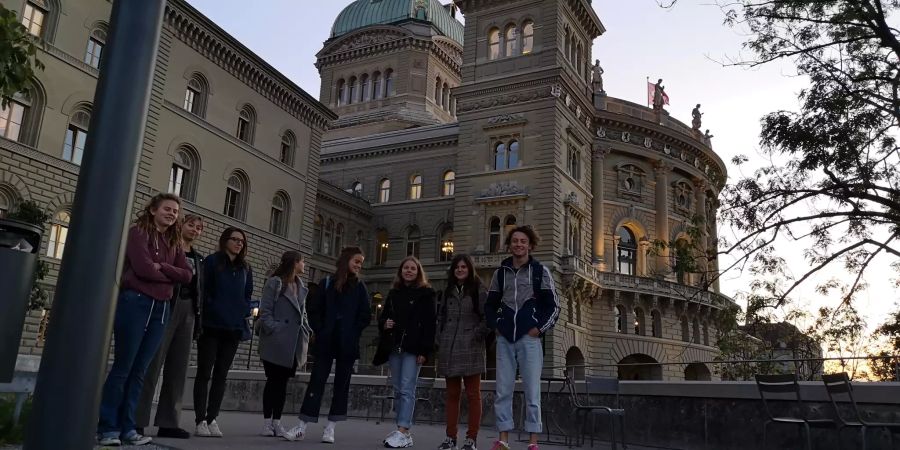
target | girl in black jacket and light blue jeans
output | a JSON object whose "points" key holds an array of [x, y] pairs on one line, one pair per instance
{"points": [[408, 320]]}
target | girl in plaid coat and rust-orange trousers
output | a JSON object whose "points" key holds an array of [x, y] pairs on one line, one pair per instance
{"points": [[462, 347]]}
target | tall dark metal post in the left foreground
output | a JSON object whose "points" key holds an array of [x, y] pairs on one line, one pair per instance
{"points": [[67, 395]]}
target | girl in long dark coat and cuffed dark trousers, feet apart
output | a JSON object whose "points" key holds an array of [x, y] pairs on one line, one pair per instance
{"points": [[338, 315]]}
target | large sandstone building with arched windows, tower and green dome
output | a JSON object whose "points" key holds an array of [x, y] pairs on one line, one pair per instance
{"points": [[430, 138]]}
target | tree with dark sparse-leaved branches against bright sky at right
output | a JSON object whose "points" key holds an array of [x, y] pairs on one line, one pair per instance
{"points": [[833, 178]]}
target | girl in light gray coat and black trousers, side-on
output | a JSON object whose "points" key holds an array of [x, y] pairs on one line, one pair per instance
{"points": [[283, 337]]}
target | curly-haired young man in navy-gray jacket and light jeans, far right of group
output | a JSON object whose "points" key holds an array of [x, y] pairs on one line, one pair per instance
{"points": [[522, 306]]}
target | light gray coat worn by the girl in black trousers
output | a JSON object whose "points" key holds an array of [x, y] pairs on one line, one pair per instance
{"points": [[284, 327]]}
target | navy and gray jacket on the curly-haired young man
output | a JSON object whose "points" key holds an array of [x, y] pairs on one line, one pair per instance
{"points": [[518, 308]]}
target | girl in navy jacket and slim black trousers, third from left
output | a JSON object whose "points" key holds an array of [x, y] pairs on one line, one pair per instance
{"points": [[226, 305]]}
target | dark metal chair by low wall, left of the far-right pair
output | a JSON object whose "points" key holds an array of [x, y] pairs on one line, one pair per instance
{"points": [[786, 387]]}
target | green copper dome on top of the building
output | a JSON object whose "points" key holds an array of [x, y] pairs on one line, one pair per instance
{"points": [[363, 13]]}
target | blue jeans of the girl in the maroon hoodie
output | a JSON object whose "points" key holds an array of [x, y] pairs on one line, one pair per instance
{"points": [[138, 330]]}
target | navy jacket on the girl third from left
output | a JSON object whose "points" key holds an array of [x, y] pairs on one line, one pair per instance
{"points": [[226, 294]]}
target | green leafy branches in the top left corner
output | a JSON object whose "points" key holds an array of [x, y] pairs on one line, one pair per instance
{"points": [[17, 56]]}
